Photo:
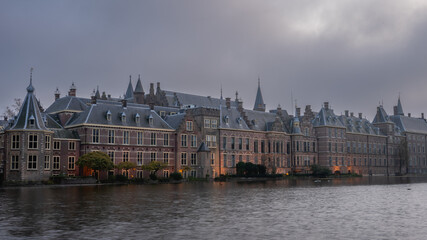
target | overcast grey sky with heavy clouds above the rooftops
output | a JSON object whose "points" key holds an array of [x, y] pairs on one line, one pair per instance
{"points": [[352, 54]]}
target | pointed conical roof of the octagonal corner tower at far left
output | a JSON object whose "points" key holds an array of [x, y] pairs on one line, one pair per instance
{"points": [[29, 116]]}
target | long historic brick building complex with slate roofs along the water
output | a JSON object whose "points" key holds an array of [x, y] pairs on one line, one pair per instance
{"points": [[203, 136]]}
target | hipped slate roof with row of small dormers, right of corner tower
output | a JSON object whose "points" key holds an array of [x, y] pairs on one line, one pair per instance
{"points": [[97, 114]]}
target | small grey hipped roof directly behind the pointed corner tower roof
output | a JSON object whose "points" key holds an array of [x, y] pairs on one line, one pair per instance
{"points": [[68, 103]]}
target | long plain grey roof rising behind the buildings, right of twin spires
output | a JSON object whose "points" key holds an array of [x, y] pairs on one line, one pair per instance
{"points": [[177, 99]]}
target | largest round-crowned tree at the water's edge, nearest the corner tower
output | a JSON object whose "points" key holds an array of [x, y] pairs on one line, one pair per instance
{"points": [[96, 161]]}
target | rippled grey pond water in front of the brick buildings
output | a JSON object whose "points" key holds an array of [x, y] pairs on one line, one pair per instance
{"points": [[361, 208]]}
